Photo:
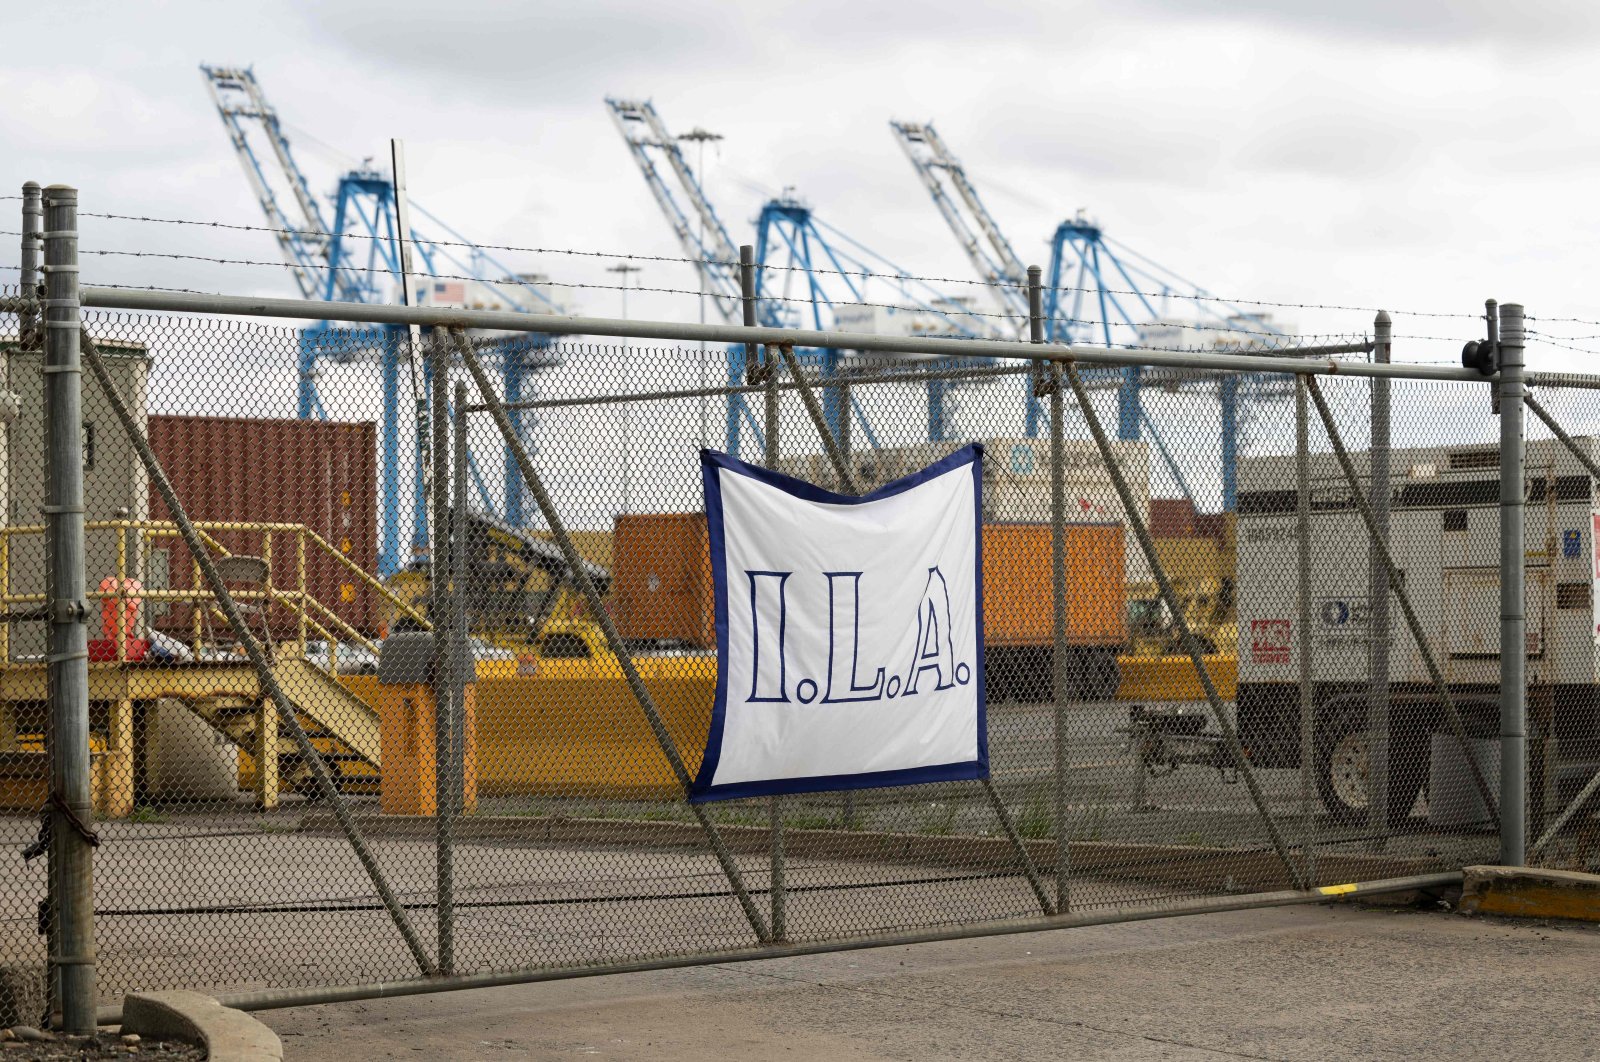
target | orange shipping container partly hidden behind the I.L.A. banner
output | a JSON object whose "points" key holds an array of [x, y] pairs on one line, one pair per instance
{"points": [[663, 589]]}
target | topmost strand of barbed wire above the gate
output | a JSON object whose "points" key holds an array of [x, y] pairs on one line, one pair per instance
{"points": [[1196, 297]]}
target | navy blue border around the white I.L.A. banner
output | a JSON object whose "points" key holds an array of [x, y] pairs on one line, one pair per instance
{"points": [[713, 463]]}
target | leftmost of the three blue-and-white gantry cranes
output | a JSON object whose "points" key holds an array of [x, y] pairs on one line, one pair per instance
{"points": [[358, 260]]}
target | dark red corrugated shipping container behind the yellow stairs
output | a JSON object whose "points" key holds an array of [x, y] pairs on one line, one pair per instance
{"points": [[319, 474]]}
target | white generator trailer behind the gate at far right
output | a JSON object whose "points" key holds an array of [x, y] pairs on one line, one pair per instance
{"points": [[1446, 540]]}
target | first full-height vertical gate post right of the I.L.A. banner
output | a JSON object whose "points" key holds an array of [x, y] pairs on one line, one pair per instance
{"points": [[1049, 378]]}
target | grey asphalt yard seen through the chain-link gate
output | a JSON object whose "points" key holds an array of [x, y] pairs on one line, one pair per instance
{"points": [[231, 900]]}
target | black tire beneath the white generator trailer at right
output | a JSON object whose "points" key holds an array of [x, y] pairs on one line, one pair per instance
{"points": [[1342, 765]]}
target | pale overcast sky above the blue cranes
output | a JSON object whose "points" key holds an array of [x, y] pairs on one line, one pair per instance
{"points": [[1402, 154]]}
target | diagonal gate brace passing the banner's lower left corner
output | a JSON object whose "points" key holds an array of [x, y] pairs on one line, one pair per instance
{"points": [[614, 639]]}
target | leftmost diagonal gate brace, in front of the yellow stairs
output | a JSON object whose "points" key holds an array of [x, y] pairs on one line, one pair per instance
{"points": [[258, 658]]}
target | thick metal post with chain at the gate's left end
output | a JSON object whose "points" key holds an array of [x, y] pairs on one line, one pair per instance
{"points": [[71, 807]]}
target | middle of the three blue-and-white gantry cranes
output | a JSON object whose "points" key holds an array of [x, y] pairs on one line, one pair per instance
{"points": [[810, 276]]}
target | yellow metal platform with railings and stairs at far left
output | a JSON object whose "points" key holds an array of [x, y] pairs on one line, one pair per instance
{"points": [[215, 682]]}
